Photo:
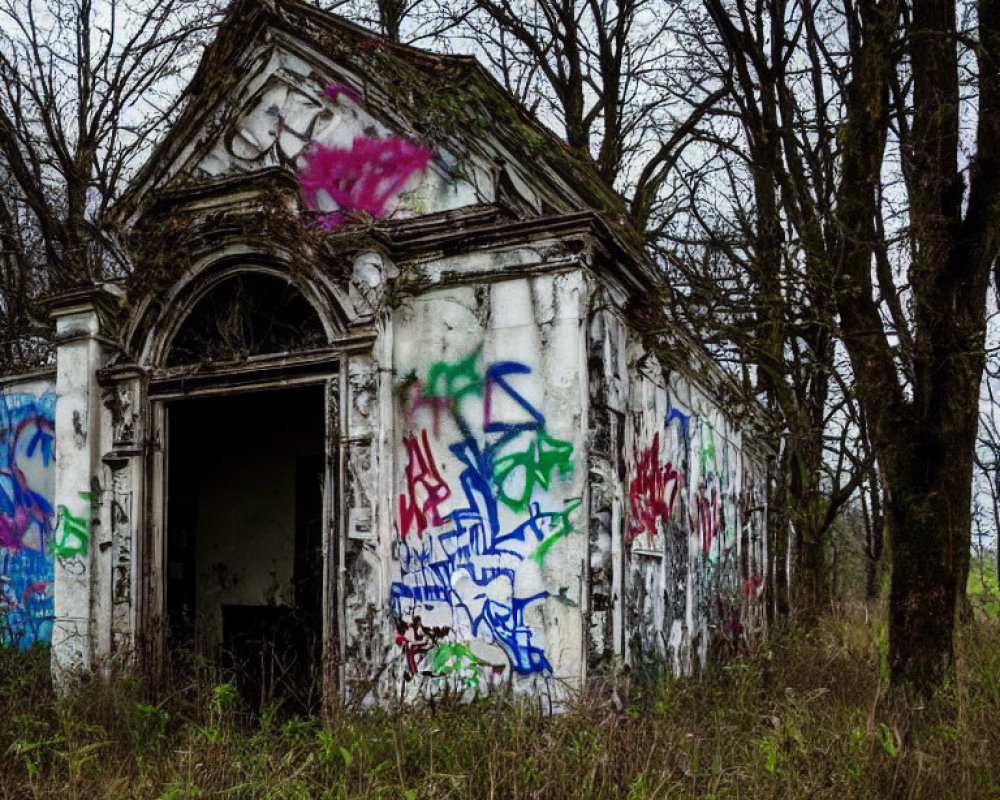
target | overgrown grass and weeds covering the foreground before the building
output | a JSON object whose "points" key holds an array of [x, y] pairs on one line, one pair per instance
{"points": [[807, 715]]}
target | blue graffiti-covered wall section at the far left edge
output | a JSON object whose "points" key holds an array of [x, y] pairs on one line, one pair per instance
{"points": [[27, 436]]}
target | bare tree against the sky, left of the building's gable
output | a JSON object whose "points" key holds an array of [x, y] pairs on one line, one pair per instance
{"points": [[83, 86]]}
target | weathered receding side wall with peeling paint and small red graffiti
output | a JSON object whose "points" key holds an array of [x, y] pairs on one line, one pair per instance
{"points": [[678, 513]]}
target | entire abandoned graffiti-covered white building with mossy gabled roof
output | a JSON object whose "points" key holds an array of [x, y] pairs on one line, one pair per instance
{"points": [[387, 402]]}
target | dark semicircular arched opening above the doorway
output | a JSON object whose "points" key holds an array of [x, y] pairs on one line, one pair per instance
{"points": [[249, 314]]}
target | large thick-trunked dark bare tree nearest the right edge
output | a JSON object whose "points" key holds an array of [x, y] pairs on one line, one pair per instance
{"points": [[871, 89]]}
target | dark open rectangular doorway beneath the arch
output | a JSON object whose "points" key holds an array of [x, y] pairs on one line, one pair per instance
{"points": [[244, 538]]}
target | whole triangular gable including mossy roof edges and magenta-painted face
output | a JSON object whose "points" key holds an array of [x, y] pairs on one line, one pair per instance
{"points": [[283, 81]]}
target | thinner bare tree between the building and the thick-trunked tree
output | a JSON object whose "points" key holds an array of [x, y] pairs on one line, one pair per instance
{"points": [[748, 281]]}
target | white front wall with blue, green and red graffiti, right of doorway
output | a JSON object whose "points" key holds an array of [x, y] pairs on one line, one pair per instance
{"points": [[484, 566]]}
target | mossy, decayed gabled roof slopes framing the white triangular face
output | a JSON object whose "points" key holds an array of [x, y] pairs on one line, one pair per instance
{"points": [[450, 102]]}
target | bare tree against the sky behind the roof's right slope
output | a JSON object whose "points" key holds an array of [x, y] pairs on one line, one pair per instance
{"points": [[600, 73]]}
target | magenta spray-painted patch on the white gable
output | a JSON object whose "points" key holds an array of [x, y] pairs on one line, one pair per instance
{"points": [[362, 179]]}
